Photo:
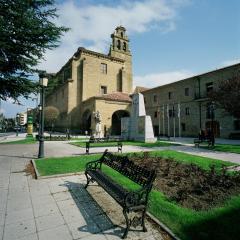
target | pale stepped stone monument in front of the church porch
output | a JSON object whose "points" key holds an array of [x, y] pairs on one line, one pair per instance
{"points": [[138, 126]]}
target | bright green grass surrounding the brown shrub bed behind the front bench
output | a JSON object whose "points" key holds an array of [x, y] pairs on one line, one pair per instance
{"points": [[219, 223]]}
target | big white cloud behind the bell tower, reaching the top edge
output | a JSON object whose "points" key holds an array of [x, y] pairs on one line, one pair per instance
{"points": [[91, 25]]}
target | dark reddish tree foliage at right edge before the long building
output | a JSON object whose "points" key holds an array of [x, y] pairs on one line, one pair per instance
{"points": [[227, 96]]}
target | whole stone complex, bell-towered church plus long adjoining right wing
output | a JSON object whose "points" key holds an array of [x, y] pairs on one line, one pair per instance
{"points": [[91, 82]]}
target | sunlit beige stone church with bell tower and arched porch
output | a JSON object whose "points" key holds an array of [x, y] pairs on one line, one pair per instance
{"points": [[91, 82]]}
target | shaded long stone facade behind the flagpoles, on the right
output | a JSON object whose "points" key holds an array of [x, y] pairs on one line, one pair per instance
{"points": [[190, 95]]}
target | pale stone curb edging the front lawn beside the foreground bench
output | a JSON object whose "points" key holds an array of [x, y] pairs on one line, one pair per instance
{"points": [[162, 225]]}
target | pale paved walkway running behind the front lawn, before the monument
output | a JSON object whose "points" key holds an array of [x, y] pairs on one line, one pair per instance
{"points": [[63, 148]]}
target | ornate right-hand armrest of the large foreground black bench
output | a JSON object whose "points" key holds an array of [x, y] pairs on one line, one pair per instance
{"points": [[136, 198]]}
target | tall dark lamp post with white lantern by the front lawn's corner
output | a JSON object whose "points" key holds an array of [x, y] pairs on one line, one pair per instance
{"points": [[43, 81]]}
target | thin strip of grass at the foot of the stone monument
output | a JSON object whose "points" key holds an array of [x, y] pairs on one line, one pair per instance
{"points": [[132, 143]]}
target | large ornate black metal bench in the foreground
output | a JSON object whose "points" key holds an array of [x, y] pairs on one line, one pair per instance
{"points": [[130, 201]]}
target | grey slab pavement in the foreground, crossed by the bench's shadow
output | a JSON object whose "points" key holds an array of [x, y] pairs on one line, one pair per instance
{"points": [[56, 208]]}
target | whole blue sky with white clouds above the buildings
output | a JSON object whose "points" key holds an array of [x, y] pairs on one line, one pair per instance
{"points": [[170, 39]]}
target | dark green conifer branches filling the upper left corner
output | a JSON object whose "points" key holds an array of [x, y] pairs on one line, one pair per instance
{"points": [[26, 32]]}
